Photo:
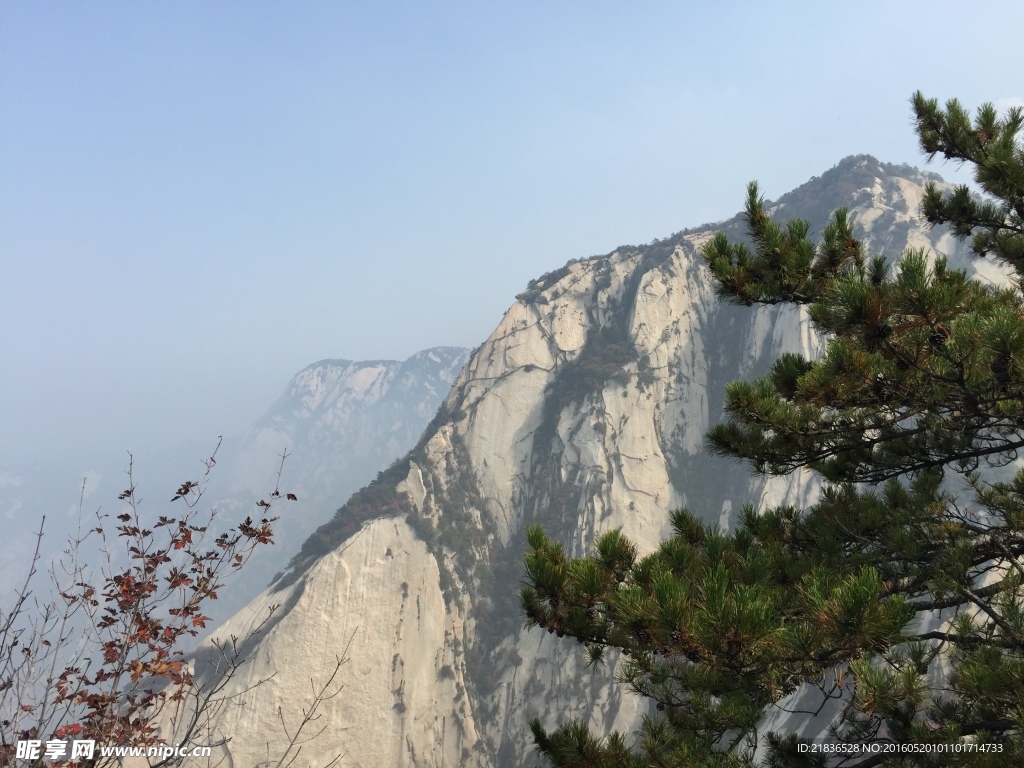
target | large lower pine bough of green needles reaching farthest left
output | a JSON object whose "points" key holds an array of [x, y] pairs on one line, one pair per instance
{"points": [[715, 628]]}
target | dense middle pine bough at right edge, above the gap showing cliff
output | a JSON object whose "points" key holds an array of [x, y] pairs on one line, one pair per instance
{"points": [[920, 374]]}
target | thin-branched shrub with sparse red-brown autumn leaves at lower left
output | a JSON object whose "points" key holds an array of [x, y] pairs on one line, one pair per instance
{"points": [[103, 659]]}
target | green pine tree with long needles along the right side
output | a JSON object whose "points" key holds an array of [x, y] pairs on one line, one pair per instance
{"points": [[901, 594]]}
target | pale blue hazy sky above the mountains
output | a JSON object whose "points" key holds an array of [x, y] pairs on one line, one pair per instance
{"points": [[199, 199]]}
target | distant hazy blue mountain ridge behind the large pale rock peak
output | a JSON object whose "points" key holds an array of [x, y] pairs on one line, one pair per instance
{"points": [[342, 421]]}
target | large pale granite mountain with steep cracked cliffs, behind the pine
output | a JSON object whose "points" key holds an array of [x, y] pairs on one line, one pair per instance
{"points": [[584, 411]]}
